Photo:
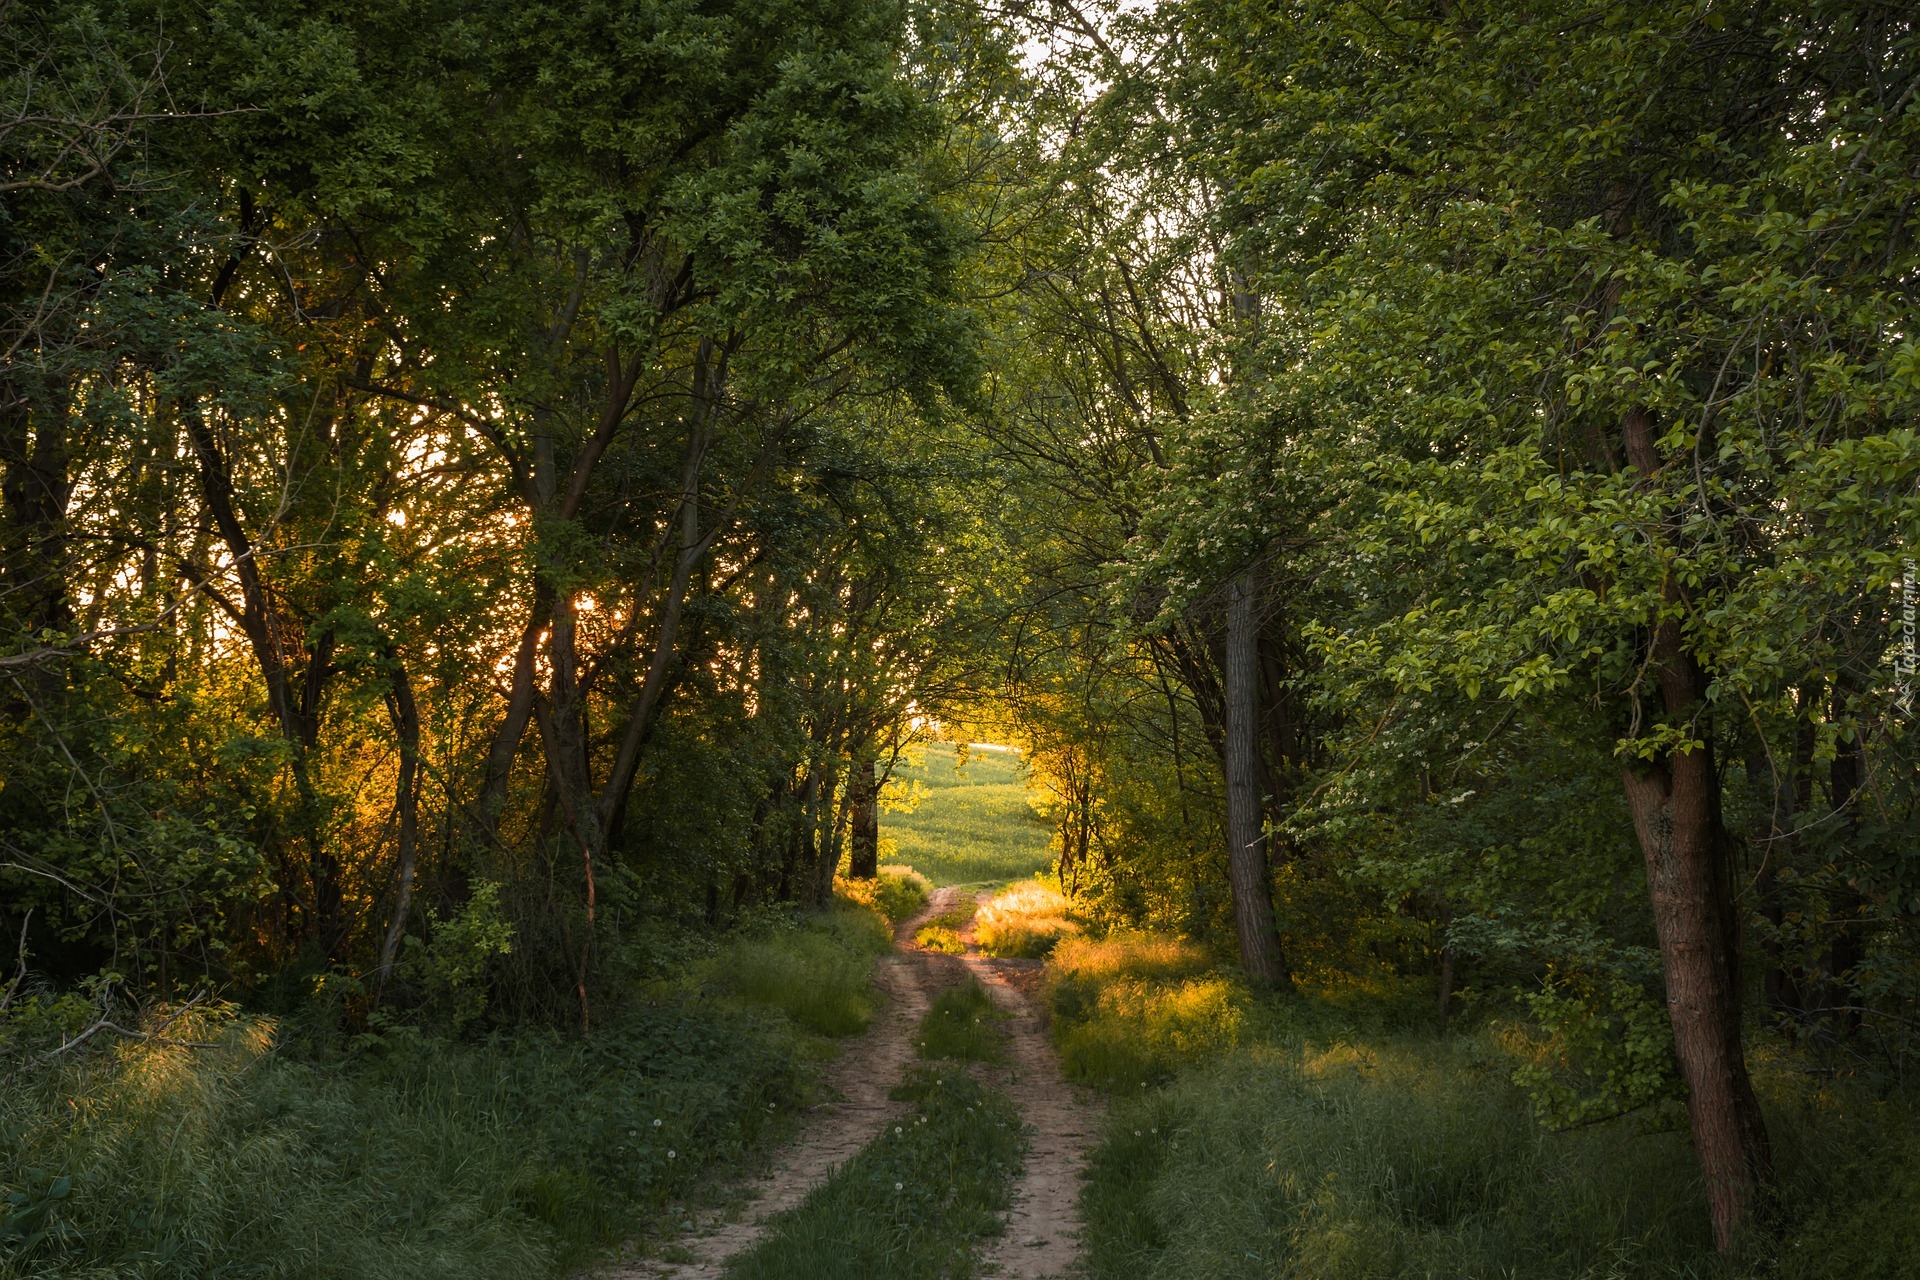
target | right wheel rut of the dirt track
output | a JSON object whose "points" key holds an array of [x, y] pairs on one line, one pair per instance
{"points": [[1044, 1225]]}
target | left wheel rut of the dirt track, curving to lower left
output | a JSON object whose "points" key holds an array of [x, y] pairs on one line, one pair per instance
{"points": [[834, 1131]]}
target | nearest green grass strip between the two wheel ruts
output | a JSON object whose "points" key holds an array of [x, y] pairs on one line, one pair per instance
{"points": [[915, 1204]]}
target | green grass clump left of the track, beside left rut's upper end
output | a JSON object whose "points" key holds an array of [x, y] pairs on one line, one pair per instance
{"points": [[815, 974]]}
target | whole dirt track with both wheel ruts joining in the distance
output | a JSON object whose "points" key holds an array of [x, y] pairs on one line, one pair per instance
{"points": [[1042, 1229]]}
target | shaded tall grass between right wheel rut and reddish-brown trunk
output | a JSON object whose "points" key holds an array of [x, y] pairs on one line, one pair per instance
{"points": [[1381, 1160]]}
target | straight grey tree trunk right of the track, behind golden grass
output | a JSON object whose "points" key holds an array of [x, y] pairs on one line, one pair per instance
{"points": [[1247, 855]]}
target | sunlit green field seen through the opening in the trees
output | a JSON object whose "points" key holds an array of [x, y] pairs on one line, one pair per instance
{"points": [[976, 826]]}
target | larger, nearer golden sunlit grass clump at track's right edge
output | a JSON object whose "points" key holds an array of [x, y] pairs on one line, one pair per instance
{"points": [[1136, 1008]]}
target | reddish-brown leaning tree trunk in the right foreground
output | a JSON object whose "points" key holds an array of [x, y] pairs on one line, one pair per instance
{"points": [[1677, 815]]}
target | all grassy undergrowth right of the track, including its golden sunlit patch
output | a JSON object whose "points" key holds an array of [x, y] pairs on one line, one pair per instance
{"points": [[1326, 1139]]}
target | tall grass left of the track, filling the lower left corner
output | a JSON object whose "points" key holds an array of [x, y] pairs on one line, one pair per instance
{"points": [[402, 1156]]}
